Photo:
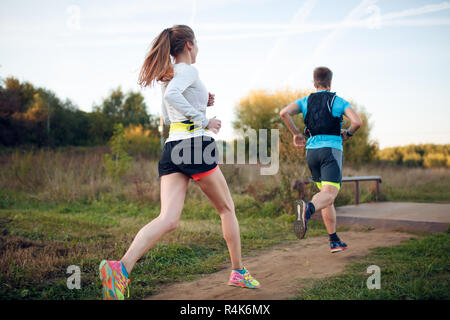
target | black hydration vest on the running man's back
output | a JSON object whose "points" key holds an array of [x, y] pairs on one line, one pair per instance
{"points": [[319, 118]]}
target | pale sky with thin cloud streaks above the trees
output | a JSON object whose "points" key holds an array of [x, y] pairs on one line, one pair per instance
{"points": [[390, 57]]}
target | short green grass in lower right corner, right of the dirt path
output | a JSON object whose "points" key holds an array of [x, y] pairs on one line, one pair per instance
{"points": [[417, 269]]}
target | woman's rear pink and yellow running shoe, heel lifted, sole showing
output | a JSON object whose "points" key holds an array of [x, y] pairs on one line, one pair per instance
{"points": [[115, 280]]}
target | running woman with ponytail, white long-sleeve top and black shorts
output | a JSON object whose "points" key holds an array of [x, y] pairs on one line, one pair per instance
{"points": [[185, 99]]}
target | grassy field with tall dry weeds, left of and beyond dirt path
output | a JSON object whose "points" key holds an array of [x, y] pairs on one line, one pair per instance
{"points": [[60, 208]]}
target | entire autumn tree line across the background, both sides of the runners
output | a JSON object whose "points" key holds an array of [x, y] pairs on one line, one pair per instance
{"points": [[32, 115]]}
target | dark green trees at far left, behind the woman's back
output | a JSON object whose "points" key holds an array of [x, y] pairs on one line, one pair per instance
{"points": [[31, 115]]}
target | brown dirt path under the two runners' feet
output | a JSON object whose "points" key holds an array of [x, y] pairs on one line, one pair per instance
{"points": [[308, 258]]}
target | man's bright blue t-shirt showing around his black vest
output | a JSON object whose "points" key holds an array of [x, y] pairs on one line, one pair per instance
{"points": [[325, 140]]}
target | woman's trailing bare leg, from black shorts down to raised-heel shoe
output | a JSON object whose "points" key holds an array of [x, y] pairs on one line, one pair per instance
{"points": [[173, 192]]}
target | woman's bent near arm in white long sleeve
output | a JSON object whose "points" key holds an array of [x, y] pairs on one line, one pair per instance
{"points": [[173, 95]]}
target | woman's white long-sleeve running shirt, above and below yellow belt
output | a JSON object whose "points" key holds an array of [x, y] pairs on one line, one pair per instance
{"points": [[185, 98]]}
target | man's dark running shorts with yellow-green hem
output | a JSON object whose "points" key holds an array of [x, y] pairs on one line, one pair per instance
{"points": [[326, 166]]}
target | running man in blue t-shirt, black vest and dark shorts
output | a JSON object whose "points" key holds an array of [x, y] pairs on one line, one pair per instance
{"points": [[322, 112]]}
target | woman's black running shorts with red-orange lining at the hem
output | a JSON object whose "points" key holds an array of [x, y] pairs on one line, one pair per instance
{"points": [[195, 157]]}
